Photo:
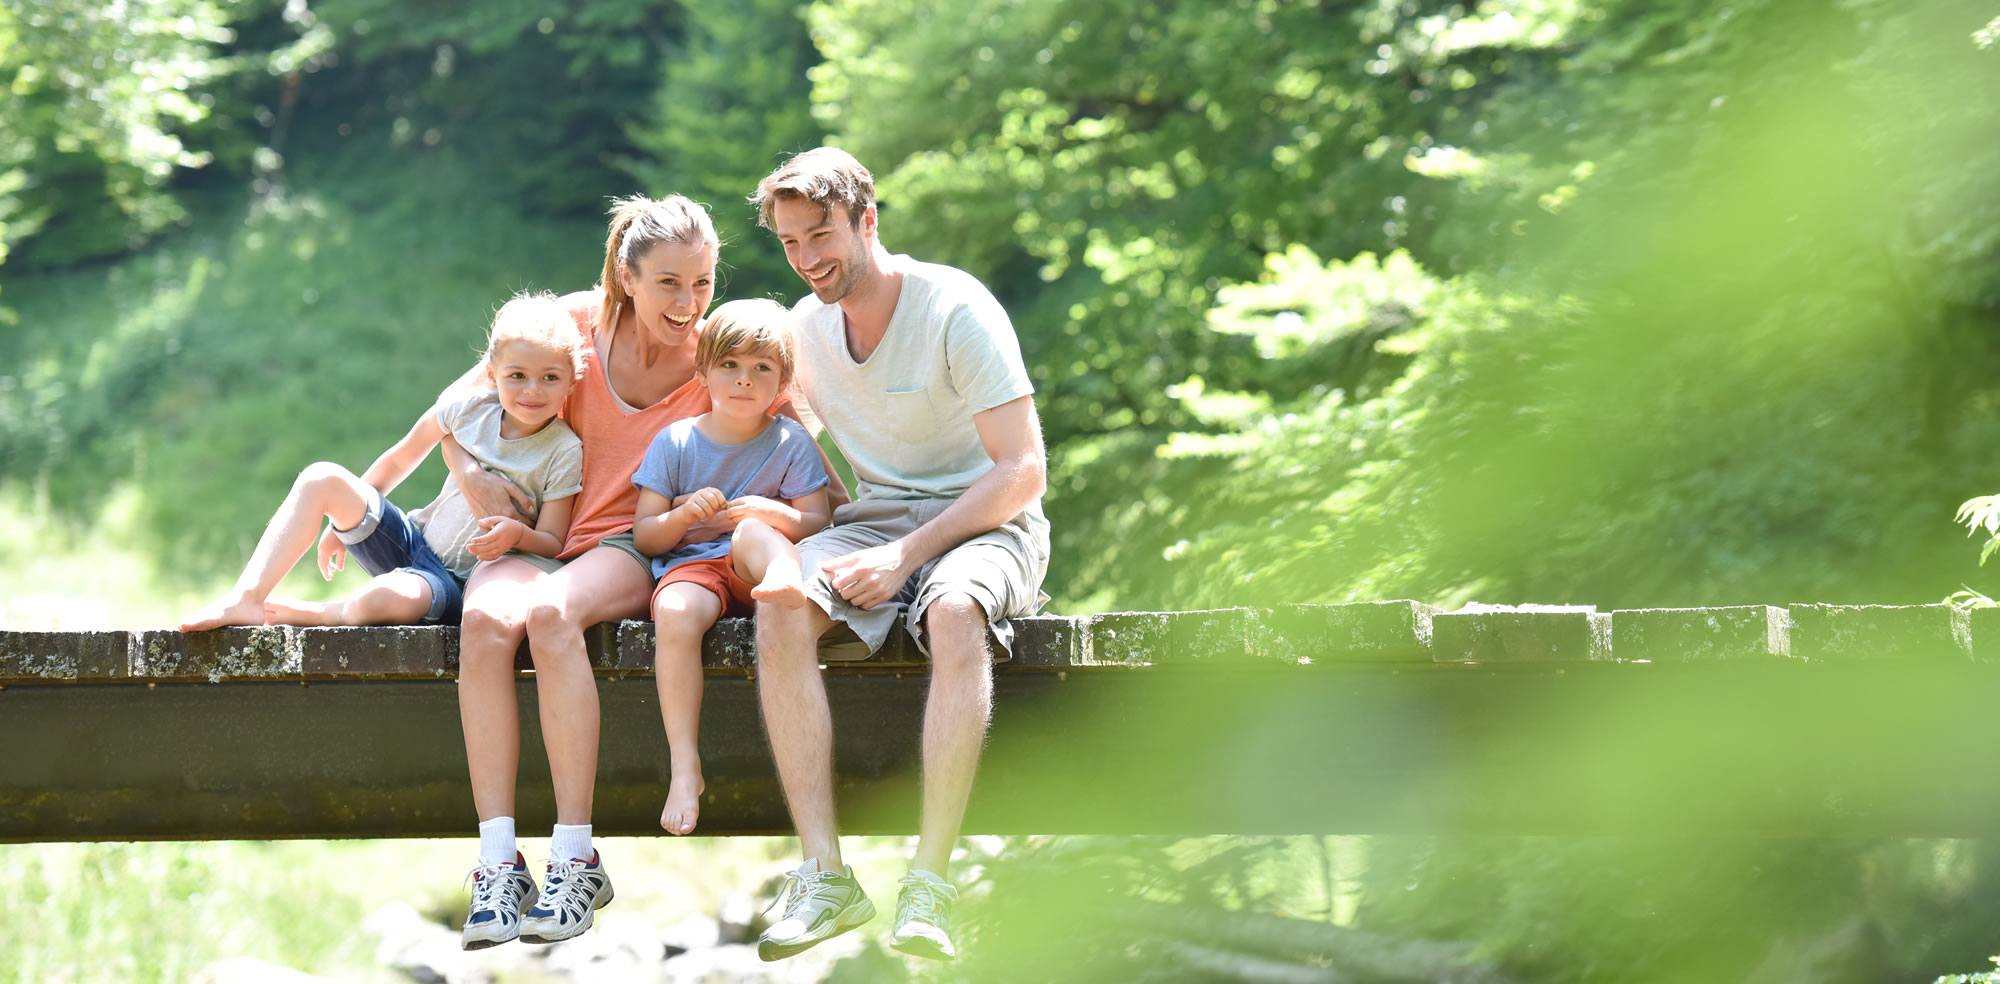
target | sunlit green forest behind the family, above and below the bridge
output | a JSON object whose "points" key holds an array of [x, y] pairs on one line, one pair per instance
{"points": [[1621, 303]]}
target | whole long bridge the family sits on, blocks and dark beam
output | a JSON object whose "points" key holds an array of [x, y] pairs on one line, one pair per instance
{"points": [[1383, 717]]}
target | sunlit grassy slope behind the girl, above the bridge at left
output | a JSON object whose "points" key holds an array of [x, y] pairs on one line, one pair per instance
{"points": [[155, 411]]}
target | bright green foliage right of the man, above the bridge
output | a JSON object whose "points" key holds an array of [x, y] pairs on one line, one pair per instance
{"points": [[1687, 331]]}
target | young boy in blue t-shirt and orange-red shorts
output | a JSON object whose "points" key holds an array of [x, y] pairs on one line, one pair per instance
{"points": [[747, 469]]}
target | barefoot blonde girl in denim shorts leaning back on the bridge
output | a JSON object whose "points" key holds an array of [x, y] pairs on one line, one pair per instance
{"points": [[421, 561]]}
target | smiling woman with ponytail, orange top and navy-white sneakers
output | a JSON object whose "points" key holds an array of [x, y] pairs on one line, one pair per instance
{"points": [[639, 377]]}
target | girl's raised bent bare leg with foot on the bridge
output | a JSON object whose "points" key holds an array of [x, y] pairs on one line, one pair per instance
{"points": [[323, 489]]}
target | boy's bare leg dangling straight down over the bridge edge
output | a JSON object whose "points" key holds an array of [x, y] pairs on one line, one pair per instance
{"points": [[681, 617]]}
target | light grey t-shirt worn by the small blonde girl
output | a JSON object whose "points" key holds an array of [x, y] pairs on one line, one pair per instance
{"points": [[549, 465]]}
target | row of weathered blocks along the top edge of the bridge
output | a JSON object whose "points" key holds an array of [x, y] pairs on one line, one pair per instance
{"points": [[1301, 635]]}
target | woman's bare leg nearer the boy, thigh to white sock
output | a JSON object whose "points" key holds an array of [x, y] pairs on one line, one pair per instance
{"points": [[599, 587]]}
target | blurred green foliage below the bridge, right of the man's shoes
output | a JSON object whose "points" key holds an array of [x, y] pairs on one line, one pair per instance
{"points": [[1501, 909]]}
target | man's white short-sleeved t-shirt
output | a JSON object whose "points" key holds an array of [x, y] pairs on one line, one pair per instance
{"points": [[905, 417]]}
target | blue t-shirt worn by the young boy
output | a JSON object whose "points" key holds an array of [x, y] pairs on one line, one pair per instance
{"points": [[781, 463]]}
